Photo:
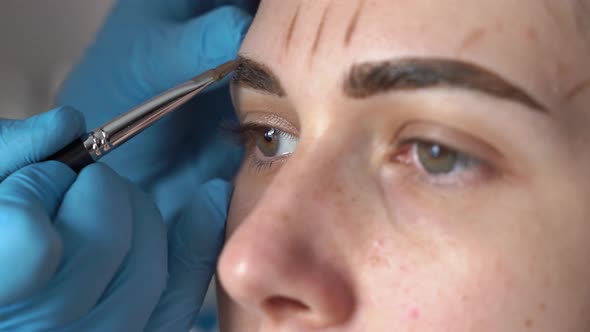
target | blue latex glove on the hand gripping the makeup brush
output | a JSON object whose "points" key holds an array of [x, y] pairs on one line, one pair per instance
{"points": [[89, 252]]}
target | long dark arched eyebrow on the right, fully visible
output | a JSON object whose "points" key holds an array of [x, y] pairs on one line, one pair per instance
{"points": [[369, 79]]}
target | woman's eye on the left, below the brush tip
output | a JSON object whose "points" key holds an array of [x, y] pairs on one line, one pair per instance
{"points": [[272, 142]]}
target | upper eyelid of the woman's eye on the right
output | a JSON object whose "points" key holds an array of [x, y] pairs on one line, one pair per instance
{"points": [[450, 138]]}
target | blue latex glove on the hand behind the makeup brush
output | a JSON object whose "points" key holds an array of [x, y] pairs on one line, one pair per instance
{"points": [[146, 47]]}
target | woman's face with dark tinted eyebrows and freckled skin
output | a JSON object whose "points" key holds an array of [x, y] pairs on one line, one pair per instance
{"points": [[412, 166]]}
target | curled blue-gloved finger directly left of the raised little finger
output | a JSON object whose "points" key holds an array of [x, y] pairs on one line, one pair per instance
{"points": [[144, 274]]}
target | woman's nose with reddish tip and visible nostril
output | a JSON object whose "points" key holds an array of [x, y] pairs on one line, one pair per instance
{"points": [[284, 260]]}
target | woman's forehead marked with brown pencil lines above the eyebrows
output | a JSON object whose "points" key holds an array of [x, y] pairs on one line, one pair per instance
{"points": [[303, 41]]}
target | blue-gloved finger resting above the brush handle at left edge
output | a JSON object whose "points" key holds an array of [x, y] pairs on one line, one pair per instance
{"points": [[23, 142]]}
